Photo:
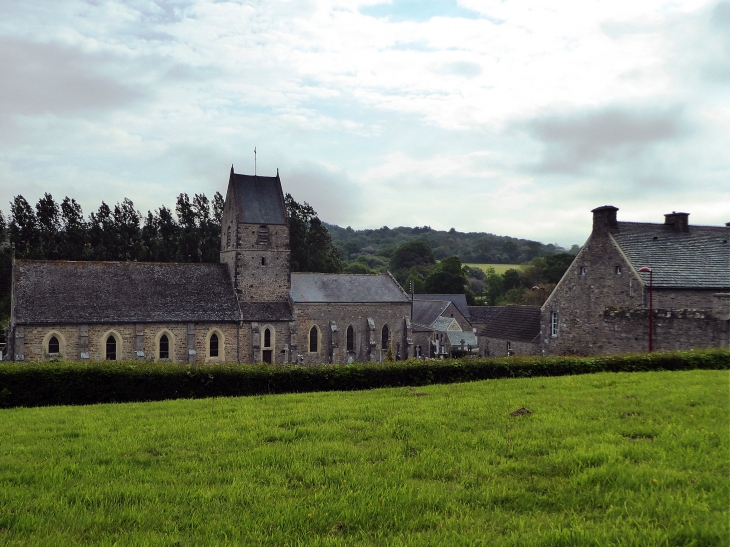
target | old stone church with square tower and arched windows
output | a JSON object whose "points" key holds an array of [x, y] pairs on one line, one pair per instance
{"points": [[250, 308]]}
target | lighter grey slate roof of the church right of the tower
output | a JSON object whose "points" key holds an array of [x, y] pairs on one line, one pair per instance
{"points": [[346, 288]]}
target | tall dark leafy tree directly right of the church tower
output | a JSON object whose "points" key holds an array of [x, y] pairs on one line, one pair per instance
{"points": [[312, 248]]}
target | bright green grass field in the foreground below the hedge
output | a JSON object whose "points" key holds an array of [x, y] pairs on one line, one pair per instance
{"points": [[635, 459]]}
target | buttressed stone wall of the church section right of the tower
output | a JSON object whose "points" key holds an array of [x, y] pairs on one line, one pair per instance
{"points": [[322, 315]]}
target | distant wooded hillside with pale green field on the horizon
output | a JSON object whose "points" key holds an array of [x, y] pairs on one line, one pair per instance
{"points": [[471, 247]]}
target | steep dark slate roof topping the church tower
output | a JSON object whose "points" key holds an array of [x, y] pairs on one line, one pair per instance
{"points": [[258, 200]]}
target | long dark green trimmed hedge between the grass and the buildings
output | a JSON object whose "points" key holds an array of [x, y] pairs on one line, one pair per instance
{"points": [[79, 383]]}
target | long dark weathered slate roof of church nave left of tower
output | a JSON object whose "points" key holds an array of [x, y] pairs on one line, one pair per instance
{"points": [[48, 291]]}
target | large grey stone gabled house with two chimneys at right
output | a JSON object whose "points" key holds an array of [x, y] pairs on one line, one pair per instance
{"points": [[602, 303]]}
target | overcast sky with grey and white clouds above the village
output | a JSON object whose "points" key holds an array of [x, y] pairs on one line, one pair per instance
{"points": [[510, 117]]}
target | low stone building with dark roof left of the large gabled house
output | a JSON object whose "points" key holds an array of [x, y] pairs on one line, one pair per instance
{"points": [[515, 330]]}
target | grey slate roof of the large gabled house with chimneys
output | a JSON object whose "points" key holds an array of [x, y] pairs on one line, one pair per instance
{"points": [[697, 259]]}
